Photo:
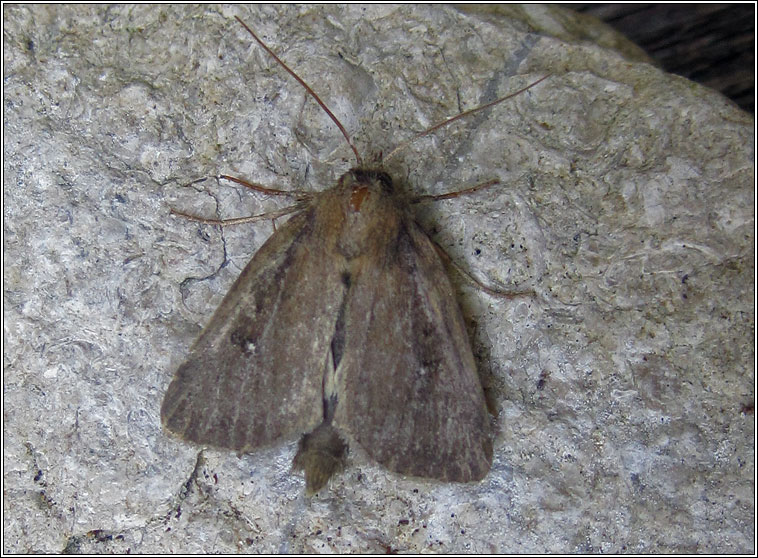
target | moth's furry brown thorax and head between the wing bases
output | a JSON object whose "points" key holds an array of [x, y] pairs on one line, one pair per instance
{"points": [[369, 212]]}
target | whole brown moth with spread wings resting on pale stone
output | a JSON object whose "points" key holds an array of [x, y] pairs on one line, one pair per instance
{"points": [[342, 330]]}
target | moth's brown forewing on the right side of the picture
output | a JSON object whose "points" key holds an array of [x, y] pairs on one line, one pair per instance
{"points": [[409, 392]]}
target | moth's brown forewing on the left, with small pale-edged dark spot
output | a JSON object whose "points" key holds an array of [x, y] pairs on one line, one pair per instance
{"points": [[255, 373]]}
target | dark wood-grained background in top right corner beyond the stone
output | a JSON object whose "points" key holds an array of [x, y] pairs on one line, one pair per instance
{"points": [[712, 44]]}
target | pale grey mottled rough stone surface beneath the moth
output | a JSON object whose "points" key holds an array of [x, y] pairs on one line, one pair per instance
{"points": [[624, 386]]}
